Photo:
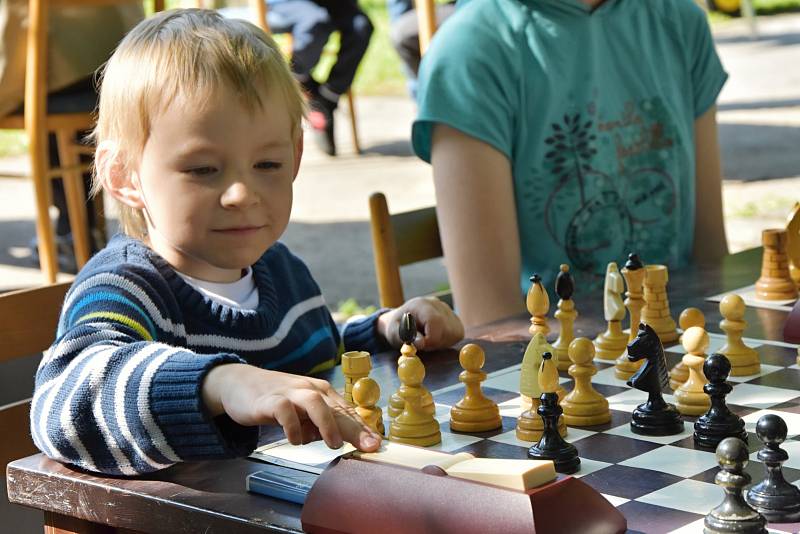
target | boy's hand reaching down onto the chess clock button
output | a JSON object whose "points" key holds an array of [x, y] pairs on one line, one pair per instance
{"points": [[307, 408]]}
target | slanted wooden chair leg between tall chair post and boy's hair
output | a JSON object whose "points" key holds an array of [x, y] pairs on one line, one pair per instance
{"points": [[75, 193]]}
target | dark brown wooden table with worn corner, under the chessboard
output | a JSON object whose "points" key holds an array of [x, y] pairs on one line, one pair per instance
{"points": [[210, 496]]}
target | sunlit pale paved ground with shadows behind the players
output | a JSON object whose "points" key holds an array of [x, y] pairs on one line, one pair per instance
{"points": [[759, 129]]}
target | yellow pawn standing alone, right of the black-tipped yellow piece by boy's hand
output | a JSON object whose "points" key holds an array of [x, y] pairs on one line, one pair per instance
{"points": [[474, 412]]}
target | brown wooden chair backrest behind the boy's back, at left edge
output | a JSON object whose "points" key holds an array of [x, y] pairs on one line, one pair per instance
{"points": [[28, 321]]}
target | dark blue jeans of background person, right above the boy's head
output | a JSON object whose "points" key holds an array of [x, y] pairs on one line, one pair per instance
{"points": [[311, 24]]}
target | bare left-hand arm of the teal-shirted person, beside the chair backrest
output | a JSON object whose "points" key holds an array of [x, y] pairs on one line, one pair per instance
{"points": [[478, 226]]}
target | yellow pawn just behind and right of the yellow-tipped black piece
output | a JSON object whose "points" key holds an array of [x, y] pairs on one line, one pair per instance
{"points": [[584, 406]]}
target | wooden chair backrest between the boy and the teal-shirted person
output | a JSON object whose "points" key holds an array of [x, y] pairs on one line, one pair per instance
{"points": [[397, 240]]}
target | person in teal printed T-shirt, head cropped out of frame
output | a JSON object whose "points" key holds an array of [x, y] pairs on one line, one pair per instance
{"points": [[576, 131]]}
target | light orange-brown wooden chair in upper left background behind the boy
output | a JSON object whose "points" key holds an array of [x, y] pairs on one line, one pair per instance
{"points": [[37, 124]]}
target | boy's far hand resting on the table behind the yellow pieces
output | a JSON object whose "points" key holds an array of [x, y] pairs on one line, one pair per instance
{"points": [[439, 326]]}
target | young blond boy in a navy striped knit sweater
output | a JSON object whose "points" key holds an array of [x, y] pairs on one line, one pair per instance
{"points": [[178, 340]]}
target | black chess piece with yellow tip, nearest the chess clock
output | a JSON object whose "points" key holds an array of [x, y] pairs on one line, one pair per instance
{"points": [[551, 445]]}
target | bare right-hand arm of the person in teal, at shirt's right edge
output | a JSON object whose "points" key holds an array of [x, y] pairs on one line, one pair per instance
{"points": [[710, 242]]}
